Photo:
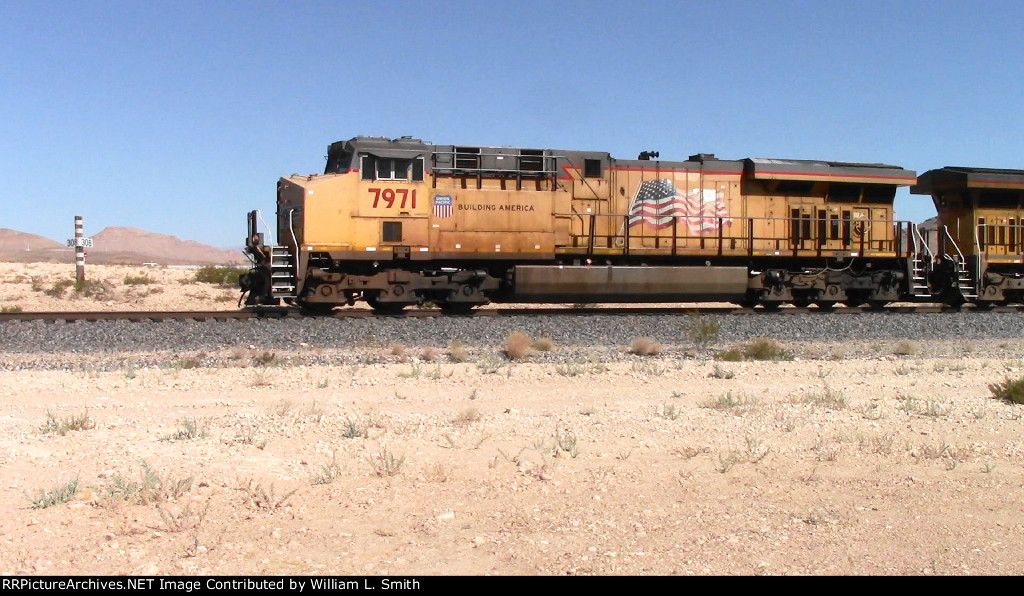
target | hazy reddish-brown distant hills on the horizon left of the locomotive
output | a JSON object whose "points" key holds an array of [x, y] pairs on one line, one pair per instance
{"points": [[117, 245]]}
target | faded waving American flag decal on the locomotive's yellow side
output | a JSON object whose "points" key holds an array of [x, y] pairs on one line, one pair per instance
{"points": [[657, 203]]}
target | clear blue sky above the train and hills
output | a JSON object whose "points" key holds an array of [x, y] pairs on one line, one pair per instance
{"points": [[179, 117]]}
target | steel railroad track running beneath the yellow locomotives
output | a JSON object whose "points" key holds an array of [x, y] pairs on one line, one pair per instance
{"points": [[287, 313]]}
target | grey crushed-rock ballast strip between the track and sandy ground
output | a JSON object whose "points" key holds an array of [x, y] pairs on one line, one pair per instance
{"points": [[937, 334]]}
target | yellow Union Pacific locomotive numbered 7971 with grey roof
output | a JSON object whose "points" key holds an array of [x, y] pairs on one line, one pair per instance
{"points": [[397, 223]]}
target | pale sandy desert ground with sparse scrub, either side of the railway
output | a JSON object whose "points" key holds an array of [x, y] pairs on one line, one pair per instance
{"points": [[851, 458]]}
